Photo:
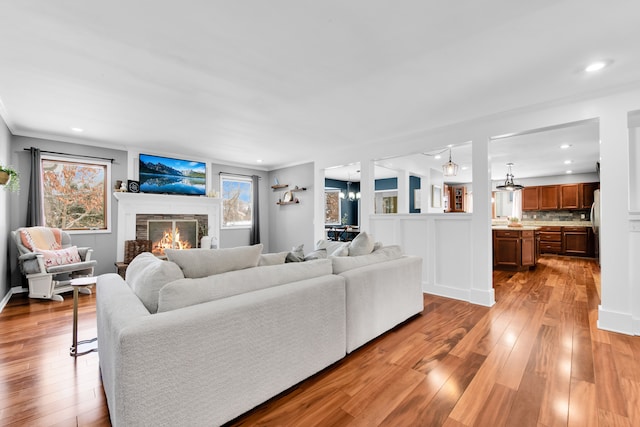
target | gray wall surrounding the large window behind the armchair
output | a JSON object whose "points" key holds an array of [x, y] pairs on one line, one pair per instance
{"points": [[103, 244]]}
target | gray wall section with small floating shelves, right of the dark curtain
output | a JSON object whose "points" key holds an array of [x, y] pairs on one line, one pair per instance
{"points": [[292, 225]]}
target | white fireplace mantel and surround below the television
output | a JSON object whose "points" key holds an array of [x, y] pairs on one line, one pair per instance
{"points": [[132, 204]]}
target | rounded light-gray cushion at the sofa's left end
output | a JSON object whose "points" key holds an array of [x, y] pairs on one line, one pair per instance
{"points": [[147, 274]]}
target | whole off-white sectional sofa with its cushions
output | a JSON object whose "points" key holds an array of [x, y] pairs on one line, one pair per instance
{"points": [[222, 343]]}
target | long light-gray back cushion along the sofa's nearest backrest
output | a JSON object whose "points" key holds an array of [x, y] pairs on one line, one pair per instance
{"points": [[187, 292]]}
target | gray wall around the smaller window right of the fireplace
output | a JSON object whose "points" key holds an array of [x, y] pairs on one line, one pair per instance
{"points": [[231, 238]]}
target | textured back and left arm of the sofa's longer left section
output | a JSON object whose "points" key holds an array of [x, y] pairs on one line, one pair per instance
{"points": [[199, 365]]}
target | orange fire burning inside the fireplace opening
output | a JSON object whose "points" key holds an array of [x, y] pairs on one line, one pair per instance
{"points": [[172, 235]]}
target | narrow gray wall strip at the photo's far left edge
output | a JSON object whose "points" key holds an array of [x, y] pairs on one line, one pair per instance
{"points": [[5, 197]]}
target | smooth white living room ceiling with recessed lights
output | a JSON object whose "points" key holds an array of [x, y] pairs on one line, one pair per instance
{"points": [[284, 80]]}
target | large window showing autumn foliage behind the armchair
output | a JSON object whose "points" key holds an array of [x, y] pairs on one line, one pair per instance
{"points": [[75, 196]]}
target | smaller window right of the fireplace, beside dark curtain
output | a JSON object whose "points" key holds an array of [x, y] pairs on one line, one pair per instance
{"points": [[237, 201]]}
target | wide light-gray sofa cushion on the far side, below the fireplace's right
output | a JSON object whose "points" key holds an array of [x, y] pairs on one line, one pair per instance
{"points": [[197, 263]]}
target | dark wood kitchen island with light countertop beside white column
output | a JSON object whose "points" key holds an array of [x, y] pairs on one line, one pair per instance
{"points": [[515, 248]]}
